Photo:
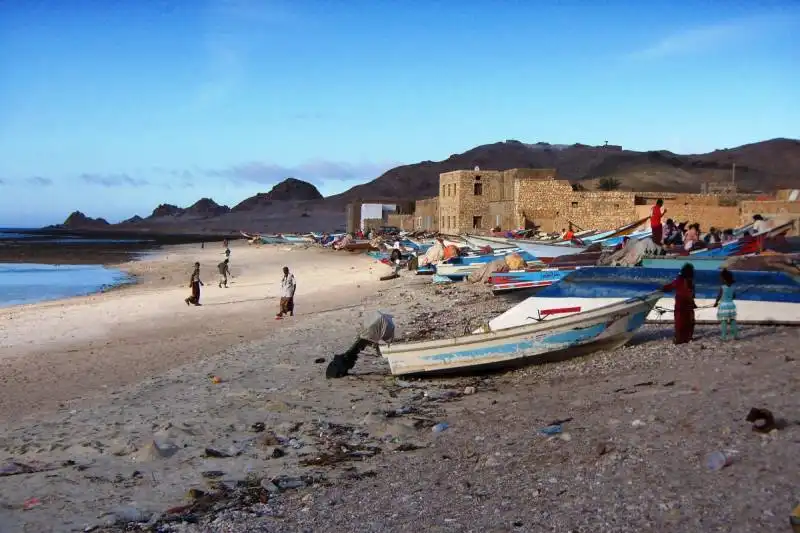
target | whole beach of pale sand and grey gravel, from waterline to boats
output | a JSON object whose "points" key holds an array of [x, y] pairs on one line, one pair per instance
{"points": [[110, 398]]}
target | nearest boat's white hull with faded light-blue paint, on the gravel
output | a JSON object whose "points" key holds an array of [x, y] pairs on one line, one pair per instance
{"points": [[571, 336]]}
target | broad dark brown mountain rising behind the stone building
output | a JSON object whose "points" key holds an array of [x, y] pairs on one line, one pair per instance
{"points": [[765, 166]]}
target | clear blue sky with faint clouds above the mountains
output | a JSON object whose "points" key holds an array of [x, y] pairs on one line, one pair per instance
{"points": [[112, 107]]}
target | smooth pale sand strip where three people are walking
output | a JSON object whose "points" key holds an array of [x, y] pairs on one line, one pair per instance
{"points": [[78, 337]]}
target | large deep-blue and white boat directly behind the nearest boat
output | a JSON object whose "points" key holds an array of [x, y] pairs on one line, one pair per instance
{"points": [[761, 297]]}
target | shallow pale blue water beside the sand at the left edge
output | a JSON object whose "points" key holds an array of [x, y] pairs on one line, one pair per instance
{"points": [[24, 283]]}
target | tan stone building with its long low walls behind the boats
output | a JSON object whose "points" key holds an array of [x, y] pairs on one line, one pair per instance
{"points": [[476, 201]]}
